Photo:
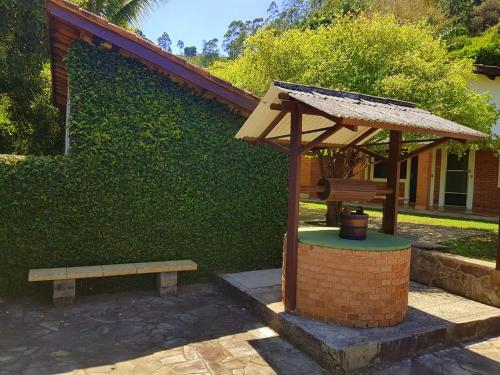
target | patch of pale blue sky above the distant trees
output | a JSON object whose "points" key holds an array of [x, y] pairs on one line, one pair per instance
{"points": [[194, 20]]}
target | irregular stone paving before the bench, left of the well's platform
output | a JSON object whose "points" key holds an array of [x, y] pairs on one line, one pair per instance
{"points": [[200, 331]]}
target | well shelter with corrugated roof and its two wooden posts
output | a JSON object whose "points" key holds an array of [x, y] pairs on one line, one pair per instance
{"points": [[296, 119]]}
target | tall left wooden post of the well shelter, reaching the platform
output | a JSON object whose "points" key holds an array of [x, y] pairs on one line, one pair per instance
{"points": [[290, 261]]}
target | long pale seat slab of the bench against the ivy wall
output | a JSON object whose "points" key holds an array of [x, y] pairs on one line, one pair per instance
{"points": [[69, 273]]}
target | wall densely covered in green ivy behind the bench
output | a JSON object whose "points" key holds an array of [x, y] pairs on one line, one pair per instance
{"points": [[154, 173]]}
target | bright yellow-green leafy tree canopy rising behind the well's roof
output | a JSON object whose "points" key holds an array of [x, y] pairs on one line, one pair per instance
{"points": [[377, 55]]}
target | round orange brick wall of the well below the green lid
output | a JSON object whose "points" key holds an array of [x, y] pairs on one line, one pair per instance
{"points": [[353, 288]]}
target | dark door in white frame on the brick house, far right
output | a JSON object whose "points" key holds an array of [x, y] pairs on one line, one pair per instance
{"points": [[457, 173]]}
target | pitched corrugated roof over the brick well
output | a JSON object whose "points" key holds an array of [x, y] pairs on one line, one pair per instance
{"points": [[363, 113]]}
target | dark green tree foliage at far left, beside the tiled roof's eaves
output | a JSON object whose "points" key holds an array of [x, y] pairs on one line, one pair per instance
{"points": [[29, 123]]}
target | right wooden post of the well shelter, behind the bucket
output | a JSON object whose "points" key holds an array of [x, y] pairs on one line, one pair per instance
{"points": [[390, 218]]}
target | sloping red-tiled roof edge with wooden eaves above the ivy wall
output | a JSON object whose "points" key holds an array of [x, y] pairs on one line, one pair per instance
{"points": [[68, 22]]}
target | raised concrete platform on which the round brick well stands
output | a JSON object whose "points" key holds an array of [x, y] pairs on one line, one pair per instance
{"points": [[435, 318]]}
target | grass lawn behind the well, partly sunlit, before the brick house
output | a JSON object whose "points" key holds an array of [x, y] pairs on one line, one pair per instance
{"points": [[479, 247]]}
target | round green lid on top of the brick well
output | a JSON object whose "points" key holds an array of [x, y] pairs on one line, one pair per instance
{"points": [[329, 237]]}
